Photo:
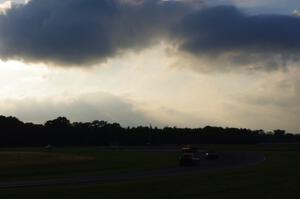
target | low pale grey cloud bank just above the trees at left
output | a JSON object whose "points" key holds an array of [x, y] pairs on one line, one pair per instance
{"points": [[88, 107]]}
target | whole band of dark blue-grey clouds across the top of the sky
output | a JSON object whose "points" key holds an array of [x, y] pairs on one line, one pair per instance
{"points": [[82, 32]]}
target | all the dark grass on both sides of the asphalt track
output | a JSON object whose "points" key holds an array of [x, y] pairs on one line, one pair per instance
{"points": [[277, 177]]}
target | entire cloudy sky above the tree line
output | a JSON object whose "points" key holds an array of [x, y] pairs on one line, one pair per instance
{"points": [[192, 63]]}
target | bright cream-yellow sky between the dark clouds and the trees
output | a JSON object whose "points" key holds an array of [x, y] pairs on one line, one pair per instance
{"points": [[155, 91]]}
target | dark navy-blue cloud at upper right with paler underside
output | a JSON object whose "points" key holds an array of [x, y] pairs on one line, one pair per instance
{"points": [[263, 41]]}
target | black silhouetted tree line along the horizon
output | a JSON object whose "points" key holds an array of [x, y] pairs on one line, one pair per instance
{"points": [[61, 132]]}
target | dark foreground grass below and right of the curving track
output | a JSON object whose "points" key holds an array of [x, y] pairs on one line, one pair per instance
{"points": [[277, 177]]}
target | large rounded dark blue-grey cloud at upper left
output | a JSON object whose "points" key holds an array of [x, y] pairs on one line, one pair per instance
{"points": [[83, 31]]}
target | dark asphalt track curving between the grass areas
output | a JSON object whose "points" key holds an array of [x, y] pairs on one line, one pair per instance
{"points": [[227, 159]]}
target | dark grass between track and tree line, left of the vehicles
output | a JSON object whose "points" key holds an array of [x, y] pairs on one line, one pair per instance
{"points": [[32, 164]]}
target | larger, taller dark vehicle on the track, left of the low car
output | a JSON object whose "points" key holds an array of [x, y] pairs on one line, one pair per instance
{"points": [[190, 156]]}
